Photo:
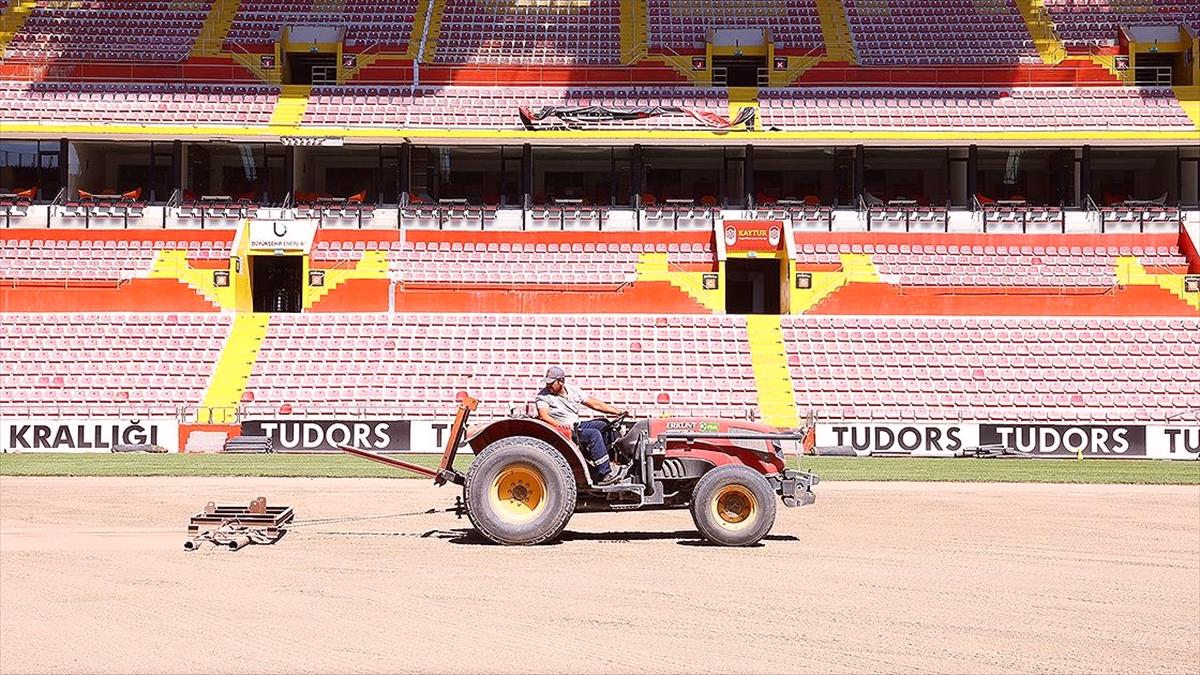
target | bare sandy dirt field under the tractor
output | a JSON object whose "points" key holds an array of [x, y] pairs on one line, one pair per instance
{"points": [[875, 577]]}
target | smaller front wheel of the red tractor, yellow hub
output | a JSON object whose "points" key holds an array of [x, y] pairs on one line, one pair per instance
{"points": [[734, 506]]}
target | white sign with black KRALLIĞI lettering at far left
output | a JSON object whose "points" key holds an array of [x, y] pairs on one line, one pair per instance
{"points": [[86, 435]]}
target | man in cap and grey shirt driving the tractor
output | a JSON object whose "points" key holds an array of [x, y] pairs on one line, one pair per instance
{"points": [[559, 404]]}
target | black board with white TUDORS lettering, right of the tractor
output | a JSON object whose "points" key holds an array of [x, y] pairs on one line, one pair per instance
{"points": [[1066, 440]]}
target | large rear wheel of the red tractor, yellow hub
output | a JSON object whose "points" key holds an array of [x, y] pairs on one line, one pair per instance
{"points": [[506, 468]]}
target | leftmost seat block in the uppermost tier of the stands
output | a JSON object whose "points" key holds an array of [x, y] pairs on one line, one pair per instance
{"points": [[116, 29]]}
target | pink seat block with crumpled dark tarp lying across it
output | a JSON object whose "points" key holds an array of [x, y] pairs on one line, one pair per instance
{"points": [[489, 107]]}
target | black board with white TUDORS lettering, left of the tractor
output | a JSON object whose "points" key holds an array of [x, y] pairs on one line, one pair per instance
{"points": [[327, 435]]}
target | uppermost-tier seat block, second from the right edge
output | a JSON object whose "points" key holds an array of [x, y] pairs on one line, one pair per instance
{"points": [[956, 32]]}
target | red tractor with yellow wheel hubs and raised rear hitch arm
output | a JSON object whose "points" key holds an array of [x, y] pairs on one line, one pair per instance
{"points": [[529, 479]]}
